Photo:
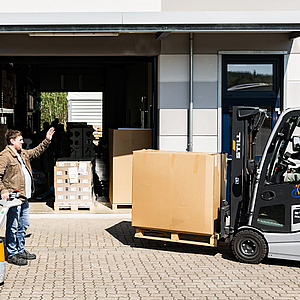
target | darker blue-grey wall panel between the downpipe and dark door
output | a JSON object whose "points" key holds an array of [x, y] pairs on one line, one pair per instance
{"points": [[205, 95]]}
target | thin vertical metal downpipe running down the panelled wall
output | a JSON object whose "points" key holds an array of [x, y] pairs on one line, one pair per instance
{"points": [[191, 103]]}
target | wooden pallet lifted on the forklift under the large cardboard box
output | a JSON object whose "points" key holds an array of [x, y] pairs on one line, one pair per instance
{"points": [[168, 236]]}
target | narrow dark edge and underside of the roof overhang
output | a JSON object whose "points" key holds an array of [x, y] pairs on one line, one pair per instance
{"points": [[115, 29]]}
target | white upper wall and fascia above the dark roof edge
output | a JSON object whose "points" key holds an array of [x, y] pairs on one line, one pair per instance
{"points": [[18, 12]]}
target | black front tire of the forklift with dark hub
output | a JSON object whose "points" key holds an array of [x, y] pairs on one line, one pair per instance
{"points": [[249, 246]]}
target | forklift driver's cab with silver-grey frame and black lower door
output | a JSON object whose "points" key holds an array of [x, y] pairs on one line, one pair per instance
{"points": [[278, 189]]}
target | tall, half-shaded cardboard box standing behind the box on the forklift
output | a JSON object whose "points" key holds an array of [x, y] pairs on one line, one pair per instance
{"points": [[121, 144]]}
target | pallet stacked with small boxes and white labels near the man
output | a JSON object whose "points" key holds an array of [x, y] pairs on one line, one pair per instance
{"points": [[73, 183]]}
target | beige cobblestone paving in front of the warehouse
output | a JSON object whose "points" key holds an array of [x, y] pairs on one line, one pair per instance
{"points": [[97, 257]]}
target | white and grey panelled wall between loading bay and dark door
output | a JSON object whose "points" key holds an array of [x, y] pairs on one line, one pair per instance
{"points": [[174, 102]]}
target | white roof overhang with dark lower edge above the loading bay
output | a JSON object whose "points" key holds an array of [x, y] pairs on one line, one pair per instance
{"points": [[151, 22]]}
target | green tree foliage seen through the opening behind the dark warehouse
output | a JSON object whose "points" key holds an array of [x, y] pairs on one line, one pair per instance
{"points": [[54, 105]]}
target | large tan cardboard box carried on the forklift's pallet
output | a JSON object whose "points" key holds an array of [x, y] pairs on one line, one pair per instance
{"points": [[177, 191]]}
